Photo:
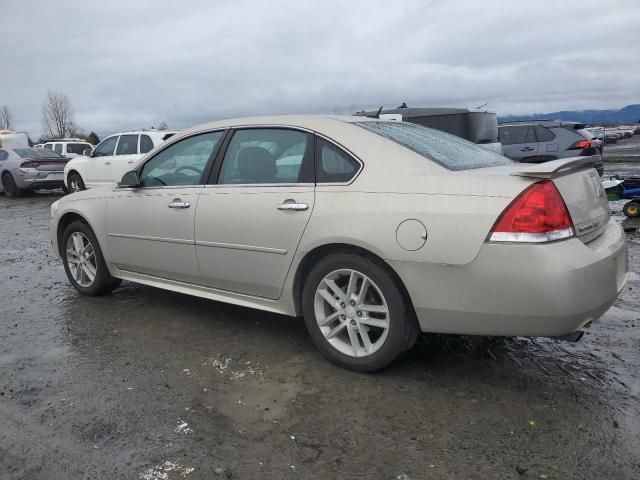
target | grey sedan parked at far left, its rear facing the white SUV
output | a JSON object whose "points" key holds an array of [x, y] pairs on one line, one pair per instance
{"points": [[24, 169]]}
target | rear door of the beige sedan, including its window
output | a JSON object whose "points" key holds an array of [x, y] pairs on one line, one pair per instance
{"points": [[249, 221]]}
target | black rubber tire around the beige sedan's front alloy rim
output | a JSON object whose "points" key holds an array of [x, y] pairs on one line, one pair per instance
{"points": [[103, 282]]}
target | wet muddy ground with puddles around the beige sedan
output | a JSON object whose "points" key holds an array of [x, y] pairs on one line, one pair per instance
{"points": [[148, 384]]}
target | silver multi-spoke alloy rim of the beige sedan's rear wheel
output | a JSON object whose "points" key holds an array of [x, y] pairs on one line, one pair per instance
{"points": [[352, 313]]}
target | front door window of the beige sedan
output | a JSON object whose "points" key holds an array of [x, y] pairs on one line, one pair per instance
{"points": [[181, 163]]}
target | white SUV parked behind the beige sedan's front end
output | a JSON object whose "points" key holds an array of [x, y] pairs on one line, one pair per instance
{"points": [[111, 158]]}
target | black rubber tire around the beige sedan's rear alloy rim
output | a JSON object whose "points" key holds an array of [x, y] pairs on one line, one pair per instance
{"points": [[403, 326]]}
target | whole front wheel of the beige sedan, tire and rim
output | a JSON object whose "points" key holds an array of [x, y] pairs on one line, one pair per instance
{"points": [[84, 263]]}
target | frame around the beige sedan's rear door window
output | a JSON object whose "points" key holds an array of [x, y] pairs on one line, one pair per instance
{"points": [[307, 169]]}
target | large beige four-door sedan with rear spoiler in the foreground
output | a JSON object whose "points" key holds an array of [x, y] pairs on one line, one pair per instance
{"points": [[372, 230]]}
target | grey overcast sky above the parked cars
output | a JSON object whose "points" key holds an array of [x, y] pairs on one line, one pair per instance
{"points": [[133, 64]]}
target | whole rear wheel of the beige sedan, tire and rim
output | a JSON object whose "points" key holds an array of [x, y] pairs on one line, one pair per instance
{"points": [[356, 313]]}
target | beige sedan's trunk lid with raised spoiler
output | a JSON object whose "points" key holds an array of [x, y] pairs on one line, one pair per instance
{"points": [[581, 188]]}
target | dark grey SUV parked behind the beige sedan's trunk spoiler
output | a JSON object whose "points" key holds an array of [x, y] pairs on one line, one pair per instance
{"points": [[543, 140]]}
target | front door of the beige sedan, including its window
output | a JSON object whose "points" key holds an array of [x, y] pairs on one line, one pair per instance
{"points": [[150, 229]]}
